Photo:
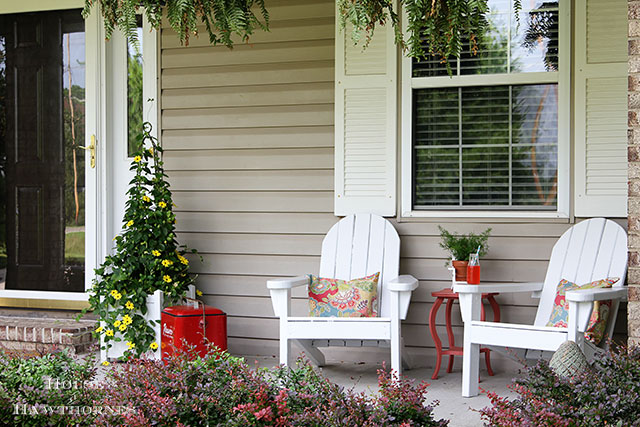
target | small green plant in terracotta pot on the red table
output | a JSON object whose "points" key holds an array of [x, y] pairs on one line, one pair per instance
{"points": [[460, 246]]}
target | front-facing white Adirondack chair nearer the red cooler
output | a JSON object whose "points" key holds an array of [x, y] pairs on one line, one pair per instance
{"points": [[357, 246]]}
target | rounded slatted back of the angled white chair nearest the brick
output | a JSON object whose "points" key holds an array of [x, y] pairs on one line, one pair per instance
{"points": [[590, 250]]}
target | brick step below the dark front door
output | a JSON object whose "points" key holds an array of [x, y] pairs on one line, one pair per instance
{"points": [[37, 334]]}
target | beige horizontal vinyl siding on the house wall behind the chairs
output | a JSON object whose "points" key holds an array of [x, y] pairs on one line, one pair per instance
{"points": [[248, 135]]}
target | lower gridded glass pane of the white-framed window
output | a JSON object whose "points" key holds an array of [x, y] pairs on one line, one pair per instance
{"points": [[505, 153]]}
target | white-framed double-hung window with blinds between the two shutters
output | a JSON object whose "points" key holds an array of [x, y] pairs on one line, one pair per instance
{"points": [[488, 137]]}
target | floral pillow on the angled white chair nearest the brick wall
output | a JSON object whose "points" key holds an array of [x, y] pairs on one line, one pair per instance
{"points": [[600, 314]]}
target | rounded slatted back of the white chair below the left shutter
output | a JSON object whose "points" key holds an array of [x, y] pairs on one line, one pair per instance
{"points": [[360, 245]]}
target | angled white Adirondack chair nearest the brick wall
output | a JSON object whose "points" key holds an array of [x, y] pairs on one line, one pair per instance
{"points": [[590, 250]]}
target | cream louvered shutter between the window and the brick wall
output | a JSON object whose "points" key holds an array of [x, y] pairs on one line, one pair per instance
{"points": [[601, 109]]}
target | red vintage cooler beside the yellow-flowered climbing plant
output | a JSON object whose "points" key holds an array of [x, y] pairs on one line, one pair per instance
{"points": [[185, 324]]}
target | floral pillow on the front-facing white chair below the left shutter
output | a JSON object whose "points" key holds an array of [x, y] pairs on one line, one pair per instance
{"points": [[343, 298]]}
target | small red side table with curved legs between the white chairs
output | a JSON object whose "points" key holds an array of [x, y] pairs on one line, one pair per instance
{"points": [[454, 350]]}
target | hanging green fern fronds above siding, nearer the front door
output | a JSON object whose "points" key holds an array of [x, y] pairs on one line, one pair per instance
{"points": [[221, 18]]}
